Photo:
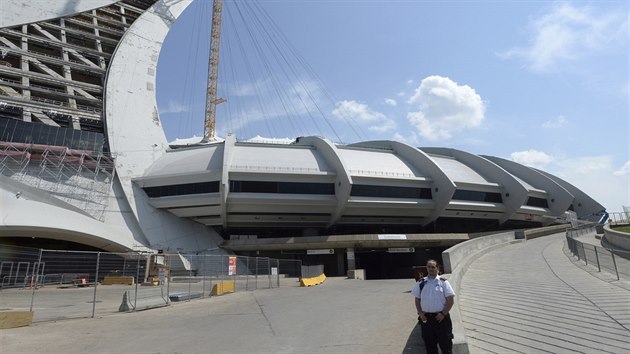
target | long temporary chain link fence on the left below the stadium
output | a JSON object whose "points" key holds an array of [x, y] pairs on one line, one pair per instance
{"points": [[59, 285]]}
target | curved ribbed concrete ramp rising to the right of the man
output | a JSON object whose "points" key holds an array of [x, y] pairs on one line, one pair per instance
{"points": [[529, 297]]}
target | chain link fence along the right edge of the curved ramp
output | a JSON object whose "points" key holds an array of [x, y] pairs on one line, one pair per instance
{"points": [[616, 263]]}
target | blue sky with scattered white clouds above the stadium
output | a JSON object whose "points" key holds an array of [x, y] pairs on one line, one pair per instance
{"points": [[538, 82]]}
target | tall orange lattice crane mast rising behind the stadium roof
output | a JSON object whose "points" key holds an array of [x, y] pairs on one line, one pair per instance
{"points": [[213, 73]]}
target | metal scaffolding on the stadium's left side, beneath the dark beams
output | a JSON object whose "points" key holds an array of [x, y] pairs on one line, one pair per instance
{"points": [[81, 178]]}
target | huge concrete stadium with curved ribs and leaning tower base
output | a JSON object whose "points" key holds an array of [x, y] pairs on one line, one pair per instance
{"points": [[84, 158]]}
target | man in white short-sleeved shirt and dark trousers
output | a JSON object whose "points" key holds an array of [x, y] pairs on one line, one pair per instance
{"points": [[434, 298]]}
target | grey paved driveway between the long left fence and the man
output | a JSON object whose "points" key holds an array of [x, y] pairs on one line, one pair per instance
{"points": [[339, 316]]}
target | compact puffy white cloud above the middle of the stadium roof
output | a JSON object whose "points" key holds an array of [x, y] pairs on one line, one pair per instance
{"points": [[444, 107]]}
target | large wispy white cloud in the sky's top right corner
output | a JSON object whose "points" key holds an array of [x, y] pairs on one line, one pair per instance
{"points": [[567, 33]]}
